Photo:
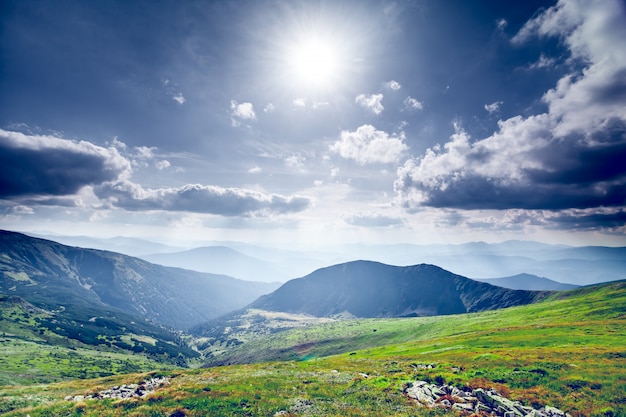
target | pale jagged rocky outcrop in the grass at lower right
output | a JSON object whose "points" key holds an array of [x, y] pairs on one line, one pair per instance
{"points": [[486, 401]]}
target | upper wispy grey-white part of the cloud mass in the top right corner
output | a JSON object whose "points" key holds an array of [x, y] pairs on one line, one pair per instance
{"points": [[594, 32]]}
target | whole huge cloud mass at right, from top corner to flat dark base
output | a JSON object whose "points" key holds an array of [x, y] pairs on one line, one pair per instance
{"points": [[570, 157]]}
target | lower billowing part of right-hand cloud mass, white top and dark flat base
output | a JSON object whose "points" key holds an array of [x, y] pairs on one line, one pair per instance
{"points": [[521, 166]]}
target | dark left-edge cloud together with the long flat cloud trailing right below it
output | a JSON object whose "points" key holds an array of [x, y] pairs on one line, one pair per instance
{"points": [[46, 170]]}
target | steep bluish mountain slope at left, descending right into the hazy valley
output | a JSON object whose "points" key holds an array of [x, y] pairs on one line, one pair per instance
{"points": [[54, 276]]}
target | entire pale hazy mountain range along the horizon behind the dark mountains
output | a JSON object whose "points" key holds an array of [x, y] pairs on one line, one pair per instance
{"points": [[583, 265]]}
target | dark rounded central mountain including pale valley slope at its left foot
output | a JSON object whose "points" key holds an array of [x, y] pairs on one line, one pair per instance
{"points": [[358, 289]]}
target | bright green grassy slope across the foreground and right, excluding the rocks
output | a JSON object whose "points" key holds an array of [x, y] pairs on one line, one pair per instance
{"points": [[567, 352]]}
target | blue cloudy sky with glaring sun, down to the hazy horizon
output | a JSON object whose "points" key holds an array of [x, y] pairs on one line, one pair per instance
{"points": [[314, 122]]}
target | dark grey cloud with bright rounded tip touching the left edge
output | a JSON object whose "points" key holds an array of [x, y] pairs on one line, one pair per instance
{"points": [[34, 165]]}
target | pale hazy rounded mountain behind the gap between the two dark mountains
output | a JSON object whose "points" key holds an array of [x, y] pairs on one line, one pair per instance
{"points": [[220, 260]]}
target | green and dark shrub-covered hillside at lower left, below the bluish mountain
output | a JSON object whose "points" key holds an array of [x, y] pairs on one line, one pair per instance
{"points": [[39, 346]]}
